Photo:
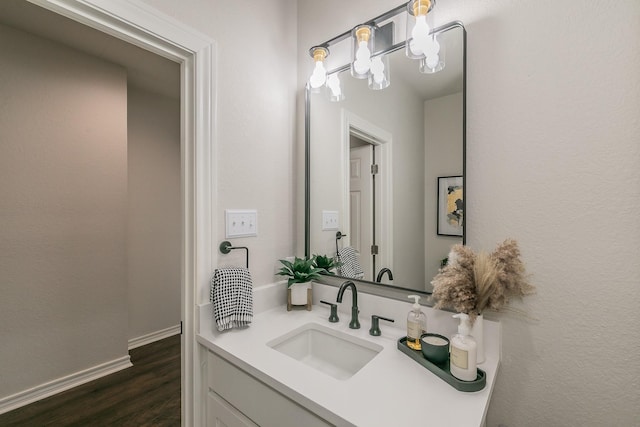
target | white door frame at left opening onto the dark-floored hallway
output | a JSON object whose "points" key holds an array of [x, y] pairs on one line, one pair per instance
{"points": [[145, 27]]}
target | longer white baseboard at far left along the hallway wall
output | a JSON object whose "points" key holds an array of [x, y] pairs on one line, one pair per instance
{"points": [[45, 390]]}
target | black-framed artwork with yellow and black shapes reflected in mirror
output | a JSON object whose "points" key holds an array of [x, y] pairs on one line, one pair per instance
{"points": [[450, 206]]}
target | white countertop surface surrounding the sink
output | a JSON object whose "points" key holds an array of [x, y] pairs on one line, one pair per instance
{"points": [[391, 390]]}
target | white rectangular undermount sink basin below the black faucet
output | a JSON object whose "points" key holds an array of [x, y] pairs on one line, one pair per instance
{"points": [[332, 352]]}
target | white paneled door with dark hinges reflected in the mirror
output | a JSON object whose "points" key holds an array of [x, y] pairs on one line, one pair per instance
{"points": [[361, 205]]}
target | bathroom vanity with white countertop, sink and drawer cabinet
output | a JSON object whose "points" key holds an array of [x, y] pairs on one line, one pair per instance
{"points": [[250, 381]]}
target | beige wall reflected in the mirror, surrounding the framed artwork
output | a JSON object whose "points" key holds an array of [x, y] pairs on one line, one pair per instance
{"points": [[443, 157]]}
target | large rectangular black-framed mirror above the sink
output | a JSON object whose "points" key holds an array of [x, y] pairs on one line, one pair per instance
{"points": [[378, 160]]}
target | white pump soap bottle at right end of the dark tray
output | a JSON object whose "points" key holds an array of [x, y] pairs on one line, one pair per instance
{"points": [[463, 351]]}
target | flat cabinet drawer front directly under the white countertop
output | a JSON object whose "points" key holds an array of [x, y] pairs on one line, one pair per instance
{"points": [[259, 402]]}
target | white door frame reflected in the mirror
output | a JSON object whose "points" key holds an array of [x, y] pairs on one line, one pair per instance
{"points": [[383, 140]]}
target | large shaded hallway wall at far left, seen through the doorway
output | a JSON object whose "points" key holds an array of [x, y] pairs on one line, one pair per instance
{"points": [[63, 161]]}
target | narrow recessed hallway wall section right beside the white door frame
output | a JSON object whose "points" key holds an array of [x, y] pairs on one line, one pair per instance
{"points": [[153, 212]]}
